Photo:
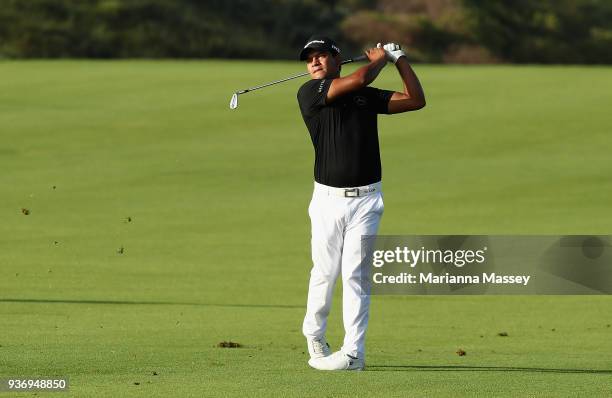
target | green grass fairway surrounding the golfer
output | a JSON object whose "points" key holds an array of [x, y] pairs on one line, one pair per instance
{"points": [[216, 246]]}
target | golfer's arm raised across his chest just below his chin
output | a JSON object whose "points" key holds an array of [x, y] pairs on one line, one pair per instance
{"points": [[360, 78]]}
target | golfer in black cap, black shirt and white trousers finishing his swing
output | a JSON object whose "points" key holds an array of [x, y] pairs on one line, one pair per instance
{"points": [[341, 116]]}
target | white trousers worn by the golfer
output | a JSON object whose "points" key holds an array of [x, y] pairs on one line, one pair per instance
{"points": [[337, 226]]}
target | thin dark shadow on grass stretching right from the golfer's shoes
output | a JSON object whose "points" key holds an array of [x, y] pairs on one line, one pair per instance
{"points": [[459, 368]]}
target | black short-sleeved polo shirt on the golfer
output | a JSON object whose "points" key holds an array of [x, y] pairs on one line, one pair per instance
{"points": [[344, 133]]}
